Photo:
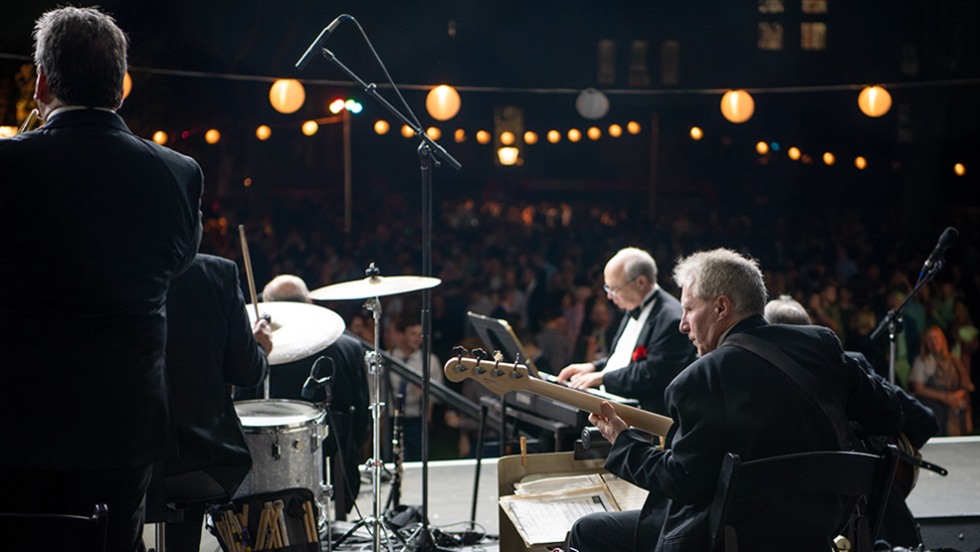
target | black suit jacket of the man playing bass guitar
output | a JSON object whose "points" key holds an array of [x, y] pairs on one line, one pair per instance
{"points": [[731, 400]]}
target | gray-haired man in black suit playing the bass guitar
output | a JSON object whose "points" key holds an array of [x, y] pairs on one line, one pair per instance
{"points": [[731, 400]]}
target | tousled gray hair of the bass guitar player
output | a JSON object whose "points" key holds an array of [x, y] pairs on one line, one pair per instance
{"points": [[711, 274]]}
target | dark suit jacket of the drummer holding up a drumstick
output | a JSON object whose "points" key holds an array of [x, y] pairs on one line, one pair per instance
{"points": [[210, 347]]}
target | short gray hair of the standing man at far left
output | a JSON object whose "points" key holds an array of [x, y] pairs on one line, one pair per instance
{"points": [[83, 55]]}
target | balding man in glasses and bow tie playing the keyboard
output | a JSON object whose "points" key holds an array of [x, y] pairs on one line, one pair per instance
{"points": [[648, 350]]}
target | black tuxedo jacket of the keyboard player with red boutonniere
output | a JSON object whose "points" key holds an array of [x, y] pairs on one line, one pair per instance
{"points": [[668, 352]]}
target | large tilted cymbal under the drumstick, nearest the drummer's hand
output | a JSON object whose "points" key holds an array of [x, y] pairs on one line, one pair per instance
{"points": [[298, 329]]}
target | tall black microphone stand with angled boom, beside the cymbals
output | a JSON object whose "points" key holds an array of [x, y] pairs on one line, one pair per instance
{"points": [[429, 152]]}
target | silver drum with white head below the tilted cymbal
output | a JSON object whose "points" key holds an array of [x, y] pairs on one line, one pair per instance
{"points": [[284, 438]]}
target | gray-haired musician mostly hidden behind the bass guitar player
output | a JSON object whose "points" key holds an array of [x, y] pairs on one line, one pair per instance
{"points": [[899, 527]]}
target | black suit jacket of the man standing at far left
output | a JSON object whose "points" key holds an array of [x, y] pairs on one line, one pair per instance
{"points": [[99, 221]]}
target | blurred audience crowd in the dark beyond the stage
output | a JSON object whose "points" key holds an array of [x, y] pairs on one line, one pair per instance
{"points": [[539, 266]]}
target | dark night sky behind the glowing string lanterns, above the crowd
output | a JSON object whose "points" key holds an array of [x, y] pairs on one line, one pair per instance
{"points": [[515, 46]]}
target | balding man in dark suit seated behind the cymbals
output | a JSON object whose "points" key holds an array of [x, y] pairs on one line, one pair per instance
{"points": [[349, 401]]}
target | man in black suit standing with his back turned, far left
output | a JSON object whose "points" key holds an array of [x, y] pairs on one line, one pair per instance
{"points": [[99, 221]]}
